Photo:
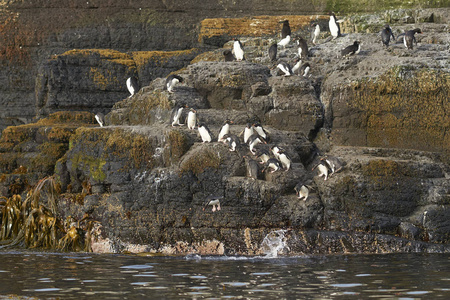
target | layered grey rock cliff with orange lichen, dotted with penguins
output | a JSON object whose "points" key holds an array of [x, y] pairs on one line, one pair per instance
{"points": [[383, 112]]}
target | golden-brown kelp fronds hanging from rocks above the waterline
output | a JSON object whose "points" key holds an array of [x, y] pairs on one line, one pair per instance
{"points": [[34, 222]]}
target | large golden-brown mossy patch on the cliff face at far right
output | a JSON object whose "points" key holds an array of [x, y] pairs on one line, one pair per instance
{"points": [[405, 108]]}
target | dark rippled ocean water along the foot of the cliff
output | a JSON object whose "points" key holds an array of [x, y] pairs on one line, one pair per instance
{"points": [[107, 276]]}
